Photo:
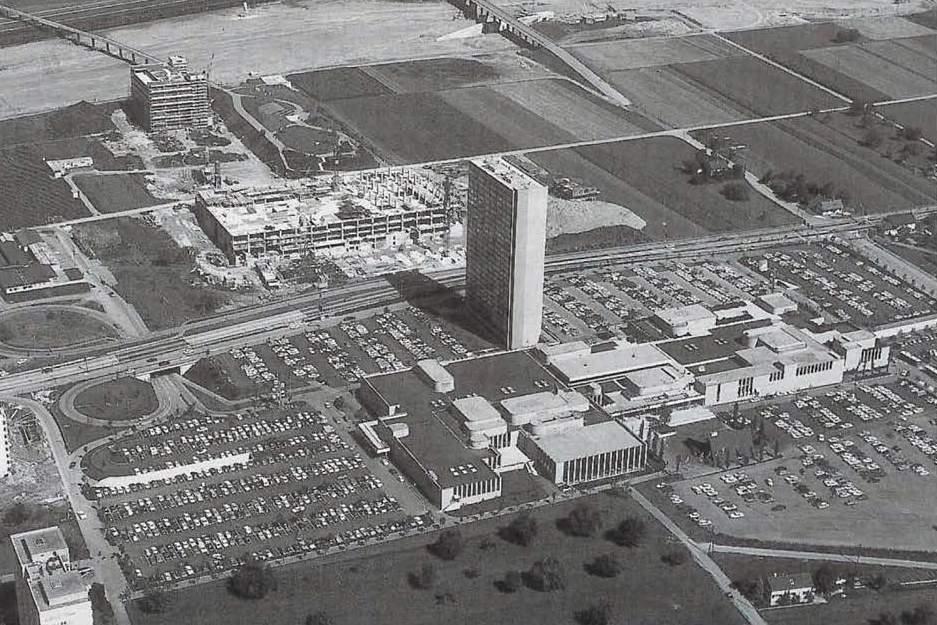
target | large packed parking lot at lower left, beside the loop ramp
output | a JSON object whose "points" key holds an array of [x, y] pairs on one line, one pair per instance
{"points": [[304, 490]]}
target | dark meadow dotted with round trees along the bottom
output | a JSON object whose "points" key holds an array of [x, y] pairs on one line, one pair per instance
{"points": [[378, 581]]}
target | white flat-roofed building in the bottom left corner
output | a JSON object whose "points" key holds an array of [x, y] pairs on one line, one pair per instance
{"points": [[48, 591]]}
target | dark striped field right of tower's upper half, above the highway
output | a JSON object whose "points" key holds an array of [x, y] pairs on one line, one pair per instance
{"points": [[646, 177]]}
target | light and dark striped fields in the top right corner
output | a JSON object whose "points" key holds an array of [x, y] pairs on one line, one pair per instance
{"points": [[878, 60]]}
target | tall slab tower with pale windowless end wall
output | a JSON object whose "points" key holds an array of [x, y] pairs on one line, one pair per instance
{"points": [[505, 246]]}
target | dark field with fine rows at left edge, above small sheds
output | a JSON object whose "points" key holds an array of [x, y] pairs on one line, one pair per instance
{"points": [[31, 197]]}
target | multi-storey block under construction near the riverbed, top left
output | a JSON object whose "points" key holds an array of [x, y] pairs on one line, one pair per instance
{"points": [[169, 96]]}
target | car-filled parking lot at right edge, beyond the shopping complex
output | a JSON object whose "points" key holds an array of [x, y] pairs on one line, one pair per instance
{"points": [[845, 286]]}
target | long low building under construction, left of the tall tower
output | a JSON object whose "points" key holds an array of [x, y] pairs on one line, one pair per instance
{"points": [[330, 215]]}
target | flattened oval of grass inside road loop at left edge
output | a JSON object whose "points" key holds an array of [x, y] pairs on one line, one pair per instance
{"points": [[50, 328]]}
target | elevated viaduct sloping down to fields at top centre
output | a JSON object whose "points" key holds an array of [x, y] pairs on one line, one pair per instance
{"points": [[498, 19]]}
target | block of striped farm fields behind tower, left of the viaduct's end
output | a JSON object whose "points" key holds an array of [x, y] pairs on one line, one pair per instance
{"points": [[448, 108]]}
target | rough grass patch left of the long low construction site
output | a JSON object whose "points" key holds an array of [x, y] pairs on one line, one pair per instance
{"points": [[153, 273]]}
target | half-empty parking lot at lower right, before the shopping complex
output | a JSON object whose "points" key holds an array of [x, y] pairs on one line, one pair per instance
{"points": [[859, 464]]}
